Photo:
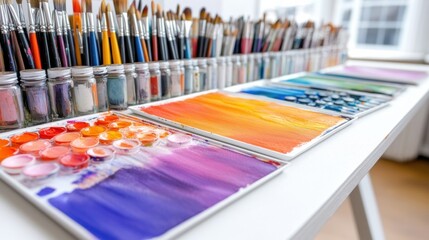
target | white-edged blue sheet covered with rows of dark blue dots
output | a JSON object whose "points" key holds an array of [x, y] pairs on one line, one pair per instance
{"points": [[345, 102]]}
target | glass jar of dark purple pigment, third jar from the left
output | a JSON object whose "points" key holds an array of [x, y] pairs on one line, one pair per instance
{"points": [[60, 96]]}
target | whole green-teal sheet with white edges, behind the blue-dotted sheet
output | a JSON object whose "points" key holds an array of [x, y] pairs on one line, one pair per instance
{"points": [[316, 81]]}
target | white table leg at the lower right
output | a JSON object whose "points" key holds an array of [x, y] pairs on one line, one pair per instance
{"points": [[365, 211]]}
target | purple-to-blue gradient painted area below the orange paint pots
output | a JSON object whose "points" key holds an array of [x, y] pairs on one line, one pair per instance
{"points": [[146, 201]]}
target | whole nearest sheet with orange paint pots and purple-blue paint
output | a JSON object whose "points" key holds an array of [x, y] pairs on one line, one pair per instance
{"points": [[112, 176]]}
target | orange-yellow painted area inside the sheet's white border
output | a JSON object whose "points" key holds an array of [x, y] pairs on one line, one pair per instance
{"points": [[260, 123]]}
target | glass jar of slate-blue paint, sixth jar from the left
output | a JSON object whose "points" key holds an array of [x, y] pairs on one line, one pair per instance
{"points": [[117, 87]]}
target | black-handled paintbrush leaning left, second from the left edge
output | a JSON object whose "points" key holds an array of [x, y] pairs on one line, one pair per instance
{"points": [[23, 45]]}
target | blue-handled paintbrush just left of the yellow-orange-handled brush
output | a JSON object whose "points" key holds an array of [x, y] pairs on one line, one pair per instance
{"points": [[92, 45]]}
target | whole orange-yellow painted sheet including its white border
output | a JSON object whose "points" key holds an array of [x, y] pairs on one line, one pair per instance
{"points": [[270, 127]]}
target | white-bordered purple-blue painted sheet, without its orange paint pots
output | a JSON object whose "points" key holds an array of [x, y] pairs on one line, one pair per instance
{"points": [[154, 193]]}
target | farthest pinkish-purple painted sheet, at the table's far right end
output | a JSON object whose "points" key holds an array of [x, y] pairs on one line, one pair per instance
{"points": [[377, 74]]}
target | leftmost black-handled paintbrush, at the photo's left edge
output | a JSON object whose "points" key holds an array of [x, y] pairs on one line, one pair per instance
{"points": [[6, 45]]}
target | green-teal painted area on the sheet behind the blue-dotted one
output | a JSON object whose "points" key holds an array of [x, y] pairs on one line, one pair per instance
{"points": [[346, 84]]}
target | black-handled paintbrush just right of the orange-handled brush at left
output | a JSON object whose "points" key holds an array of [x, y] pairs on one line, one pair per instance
{"points": [[53, 51]]}
